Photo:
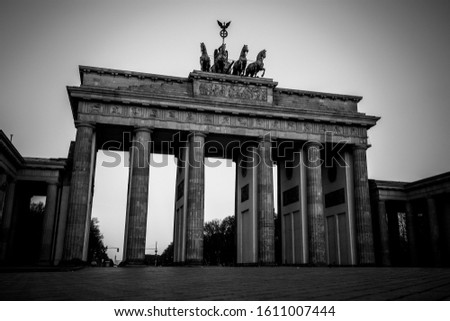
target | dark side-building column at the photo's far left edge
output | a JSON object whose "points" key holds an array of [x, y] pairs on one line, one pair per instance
{"points": [[7, 220]]}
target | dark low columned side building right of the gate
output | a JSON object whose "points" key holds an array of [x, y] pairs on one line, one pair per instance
{"points": [[412, 221]]}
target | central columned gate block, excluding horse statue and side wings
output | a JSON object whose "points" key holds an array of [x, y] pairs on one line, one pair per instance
{"points": [[317, 140]]}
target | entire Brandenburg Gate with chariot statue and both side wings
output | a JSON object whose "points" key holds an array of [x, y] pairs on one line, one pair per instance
{"points": [[316, 140]]}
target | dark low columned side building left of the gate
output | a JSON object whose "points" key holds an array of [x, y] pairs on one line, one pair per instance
{"points": [[30, 237]]}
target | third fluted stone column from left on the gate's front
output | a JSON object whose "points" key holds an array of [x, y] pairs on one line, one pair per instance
{"points": [[195, 199]]}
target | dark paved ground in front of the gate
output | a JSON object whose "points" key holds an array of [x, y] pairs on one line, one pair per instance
{"points": [[223, 283]]}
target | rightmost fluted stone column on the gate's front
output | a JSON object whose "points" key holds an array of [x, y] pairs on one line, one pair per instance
{"points": [[364, 231]]}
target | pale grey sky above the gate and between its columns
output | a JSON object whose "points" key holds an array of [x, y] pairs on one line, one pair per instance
{"points": [[393, 53]]}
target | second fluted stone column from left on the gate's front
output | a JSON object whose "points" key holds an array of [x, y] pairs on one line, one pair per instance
{"points": [[138, 199]]}
